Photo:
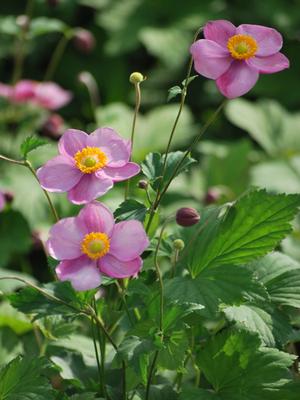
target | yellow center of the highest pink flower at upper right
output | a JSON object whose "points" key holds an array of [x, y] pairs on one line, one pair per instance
{"points": [[242, 47]]}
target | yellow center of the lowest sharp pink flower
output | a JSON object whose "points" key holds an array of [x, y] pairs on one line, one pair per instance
{"points": [[95, 245]]}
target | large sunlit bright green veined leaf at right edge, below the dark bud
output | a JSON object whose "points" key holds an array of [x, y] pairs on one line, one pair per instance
{"points": [[248, 229]]}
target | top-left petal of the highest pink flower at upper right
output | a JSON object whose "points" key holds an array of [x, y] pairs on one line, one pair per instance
{"points": [[219, 31]]}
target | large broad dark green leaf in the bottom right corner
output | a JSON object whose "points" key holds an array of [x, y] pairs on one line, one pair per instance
{"points": [[238, 368]]}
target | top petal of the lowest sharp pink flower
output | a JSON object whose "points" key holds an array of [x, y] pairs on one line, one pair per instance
{"points": [[97, 218]]}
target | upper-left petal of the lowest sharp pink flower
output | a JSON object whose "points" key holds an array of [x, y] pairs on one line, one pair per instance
{"points": [[65, 239]]}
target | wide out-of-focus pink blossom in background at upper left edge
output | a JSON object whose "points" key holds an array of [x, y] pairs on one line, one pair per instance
{"points": [[47, 95]]}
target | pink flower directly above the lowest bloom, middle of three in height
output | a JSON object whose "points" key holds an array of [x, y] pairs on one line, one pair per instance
{"points": [[88, 165]]}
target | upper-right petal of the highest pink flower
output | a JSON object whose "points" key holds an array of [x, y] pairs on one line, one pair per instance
{"points": [[268, 39]]}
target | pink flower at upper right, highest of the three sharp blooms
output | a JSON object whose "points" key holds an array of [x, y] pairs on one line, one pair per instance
{"points": [[235, 57]]}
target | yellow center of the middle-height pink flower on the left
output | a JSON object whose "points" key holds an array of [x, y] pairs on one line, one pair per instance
{"points": [[90, 159]]}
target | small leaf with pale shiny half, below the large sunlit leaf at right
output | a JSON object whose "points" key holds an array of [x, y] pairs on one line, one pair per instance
{"points": [[272, 326]]}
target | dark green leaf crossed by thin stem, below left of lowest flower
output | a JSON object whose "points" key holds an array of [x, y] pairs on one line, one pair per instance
{"points": [[31, 301]]}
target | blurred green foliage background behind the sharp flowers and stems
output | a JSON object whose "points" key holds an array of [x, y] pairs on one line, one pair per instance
{"points": [[255, 141]]}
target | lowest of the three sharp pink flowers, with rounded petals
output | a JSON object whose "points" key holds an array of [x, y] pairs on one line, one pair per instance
{"points": [[92, 244]]}
